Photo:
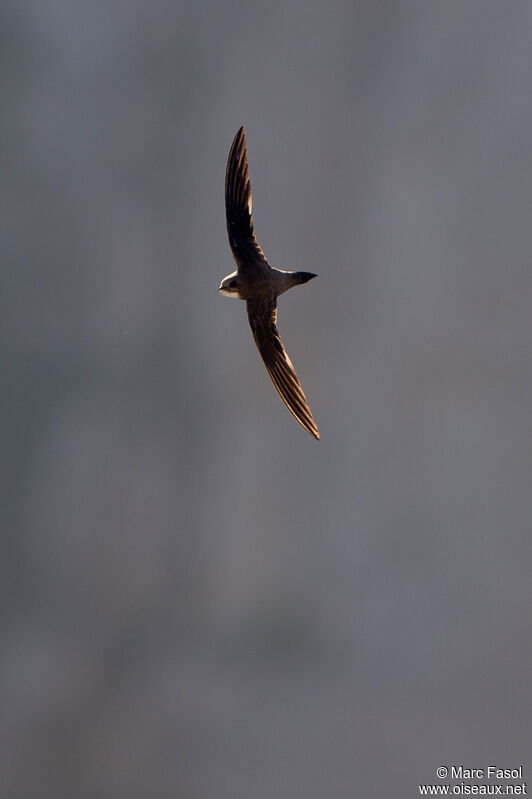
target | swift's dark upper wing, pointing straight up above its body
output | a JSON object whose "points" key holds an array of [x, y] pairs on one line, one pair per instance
{"points": [[244, 244]]}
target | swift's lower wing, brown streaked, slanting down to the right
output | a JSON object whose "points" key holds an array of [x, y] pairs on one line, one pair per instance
{"points": [[262, 315]]}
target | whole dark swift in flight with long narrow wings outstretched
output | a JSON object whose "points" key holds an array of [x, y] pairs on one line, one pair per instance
{"points": [[259, 284]]}
